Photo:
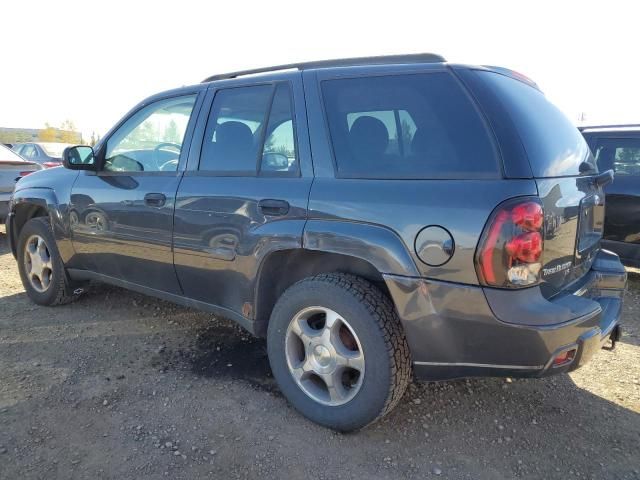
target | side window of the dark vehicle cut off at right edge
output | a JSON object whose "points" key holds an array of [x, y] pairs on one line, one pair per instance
{"points": [[620, 154]]}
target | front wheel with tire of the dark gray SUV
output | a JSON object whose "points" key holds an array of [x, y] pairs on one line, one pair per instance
{"points": [[41, 269]]}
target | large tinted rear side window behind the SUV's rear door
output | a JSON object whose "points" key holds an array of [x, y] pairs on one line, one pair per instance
{"points": [[406, 126]]}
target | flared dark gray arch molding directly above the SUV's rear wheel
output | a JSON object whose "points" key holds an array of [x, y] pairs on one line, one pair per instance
{"points": [[377, 245]]}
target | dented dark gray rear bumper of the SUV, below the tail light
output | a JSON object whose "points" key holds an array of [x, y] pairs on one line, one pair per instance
{"points": [[461, 331]]}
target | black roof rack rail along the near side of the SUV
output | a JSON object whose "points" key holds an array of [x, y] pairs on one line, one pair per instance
{"points": [[340, 62]]}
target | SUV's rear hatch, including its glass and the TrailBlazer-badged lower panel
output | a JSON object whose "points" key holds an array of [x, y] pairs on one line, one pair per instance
{"points": [[558, 158]]}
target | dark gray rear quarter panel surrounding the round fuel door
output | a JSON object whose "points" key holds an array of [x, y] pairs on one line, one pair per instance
{"points": [[404, 207]]}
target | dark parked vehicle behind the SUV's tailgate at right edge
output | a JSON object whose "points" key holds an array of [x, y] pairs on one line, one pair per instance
{"points": [[617, 147]]}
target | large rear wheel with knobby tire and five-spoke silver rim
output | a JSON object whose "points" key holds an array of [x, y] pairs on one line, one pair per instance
{"points": [[338, 351]]}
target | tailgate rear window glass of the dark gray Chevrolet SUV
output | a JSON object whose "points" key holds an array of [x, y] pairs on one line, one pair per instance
{"points": [[554, 145]]}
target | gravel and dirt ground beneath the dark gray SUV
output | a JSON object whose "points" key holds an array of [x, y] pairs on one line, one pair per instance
{"points": [[119, 385]]}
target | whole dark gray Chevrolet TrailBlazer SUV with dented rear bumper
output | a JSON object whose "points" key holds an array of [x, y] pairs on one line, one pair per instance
{"points": [[372, 218]]}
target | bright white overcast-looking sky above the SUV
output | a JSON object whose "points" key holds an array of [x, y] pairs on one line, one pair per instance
{"points": [[90, 62]]}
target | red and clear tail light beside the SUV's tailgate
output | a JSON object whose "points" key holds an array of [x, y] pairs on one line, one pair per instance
{"points": [[511, 246]]}
